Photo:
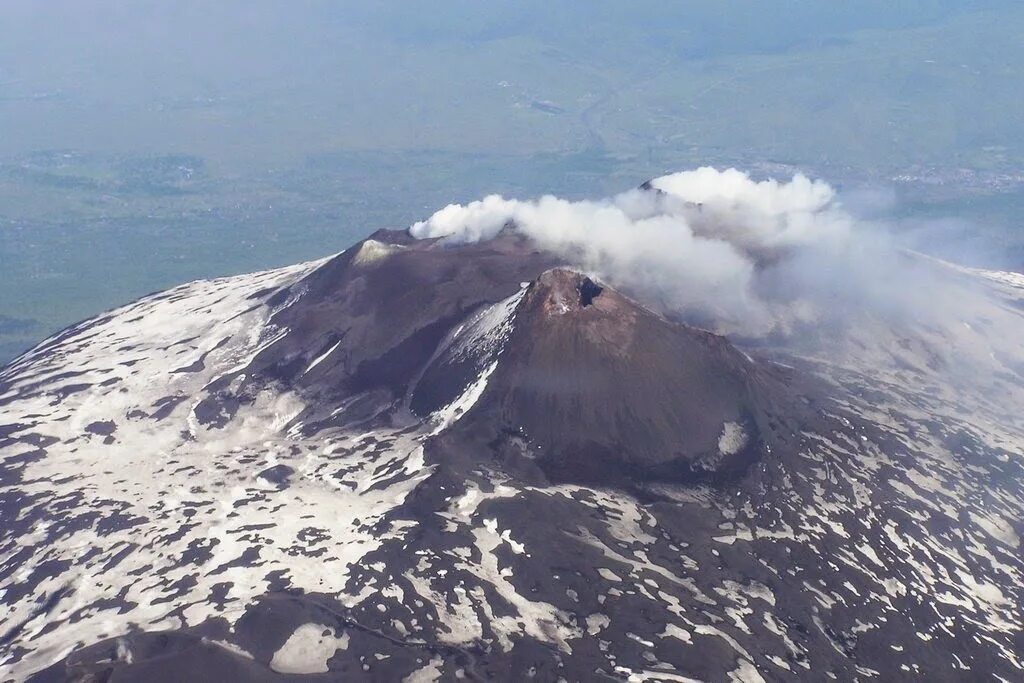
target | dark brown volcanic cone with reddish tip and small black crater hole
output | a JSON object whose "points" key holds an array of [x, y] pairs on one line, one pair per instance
{"points": [[594, 388]]}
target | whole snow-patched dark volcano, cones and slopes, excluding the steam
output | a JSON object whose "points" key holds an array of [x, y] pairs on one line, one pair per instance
{"points": [[415, 461]]}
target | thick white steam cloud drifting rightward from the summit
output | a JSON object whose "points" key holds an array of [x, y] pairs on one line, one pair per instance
{"points": [[741, 255]]}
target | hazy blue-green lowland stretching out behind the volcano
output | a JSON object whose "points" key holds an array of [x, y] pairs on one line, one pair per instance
{"points": [[149, 144]]}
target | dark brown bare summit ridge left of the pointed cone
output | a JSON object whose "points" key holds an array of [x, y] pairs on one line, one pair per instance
{"points": [[365, 328]]}
